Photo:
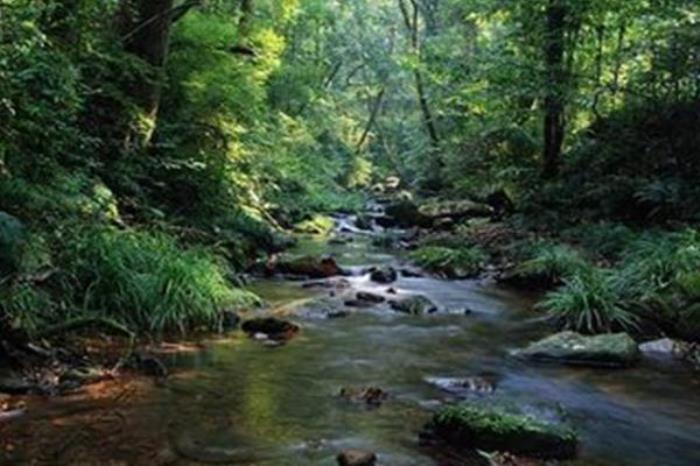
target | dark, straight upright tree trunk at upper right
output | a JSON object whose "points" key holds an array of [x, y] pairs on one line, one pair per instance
{"points": [[554, 105]]}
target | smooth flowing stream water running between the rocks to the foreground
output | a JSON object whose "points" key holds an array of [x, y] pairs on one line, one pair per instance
{"points": [[238, 401]]}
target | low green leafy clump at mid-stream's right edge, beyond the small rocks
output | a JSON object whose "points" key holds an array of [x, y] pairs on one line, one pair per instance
{"points": [[465, 262]]}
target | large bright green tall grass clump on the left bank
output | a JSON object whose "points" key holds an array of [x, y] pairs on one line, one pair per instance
{"points": [[147, 281]]}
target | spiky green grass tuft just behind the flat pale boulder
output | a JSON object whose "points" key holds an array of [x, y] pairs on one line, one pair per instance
{"points": [[589, 302]]}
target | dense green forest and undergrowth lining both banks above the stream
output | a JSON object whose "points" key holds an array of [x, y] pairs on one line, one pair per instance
{"points": [[152, 150]]}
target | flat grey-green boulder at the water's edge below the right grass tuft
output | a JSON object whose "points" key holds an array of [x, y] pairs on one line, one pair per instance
{"points": [[607, 350]]}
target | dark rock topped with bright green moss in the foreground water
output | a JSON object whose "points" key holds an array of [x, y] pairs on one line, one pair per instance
{"points": [[492, 429]]}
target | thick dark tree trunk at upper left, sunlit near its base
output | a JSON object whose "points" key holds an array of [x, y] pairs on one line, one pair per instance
{"points": [[145, 27]]}
